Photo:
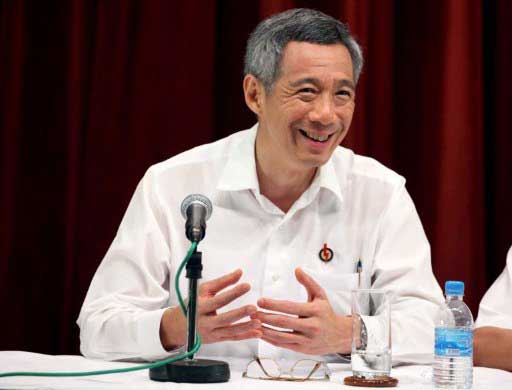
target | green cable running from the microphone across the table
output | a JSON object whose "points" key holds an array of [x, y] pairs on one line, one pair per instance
{"points": [[195, 348]]}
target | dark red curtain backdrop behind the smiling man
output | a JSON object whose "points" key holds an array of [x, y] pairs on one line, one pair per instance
{"points": [[94, 92]]}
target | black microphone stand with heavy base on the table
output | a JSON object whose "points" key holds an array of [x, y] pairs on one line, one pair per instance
{"points": [[192, 370]]}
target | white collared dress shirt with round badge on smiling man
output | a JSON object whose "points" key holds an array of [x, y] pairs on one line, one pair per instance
{"points": [[356, 206]]}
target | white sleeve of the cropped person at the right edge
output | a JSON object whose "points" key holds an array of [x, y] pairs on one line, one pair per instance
{"points": [[495, 308]]}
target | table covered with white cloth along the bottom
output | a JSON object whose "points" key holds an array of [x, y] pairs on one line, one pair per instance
{"points": [[410, 377]]}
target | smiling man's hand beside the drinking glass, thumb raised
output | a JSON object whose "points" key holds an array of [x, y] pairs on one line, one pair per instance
{"points": [[314, 326]]}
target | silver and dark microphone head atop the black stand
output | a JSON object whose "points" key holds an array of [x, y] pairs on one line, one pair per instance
{"points": [[196, 209]]}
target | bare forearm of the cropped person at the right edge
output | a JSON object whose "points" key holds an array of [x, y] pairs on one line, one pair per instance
{"points": [[492, 347]]}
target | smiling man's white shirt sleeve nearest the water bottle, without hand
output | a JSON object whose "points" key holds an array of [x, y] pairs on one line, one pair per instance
{"points": [[402, 265]]}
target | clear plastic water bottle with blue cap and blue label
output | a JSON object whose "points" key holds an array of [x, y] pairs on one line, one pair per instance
{"points": [[453, 361]]}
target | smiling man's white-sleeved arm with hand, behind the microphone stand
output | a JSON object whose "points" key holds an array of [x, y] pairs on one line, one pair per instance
{"points": [[125, 313]]}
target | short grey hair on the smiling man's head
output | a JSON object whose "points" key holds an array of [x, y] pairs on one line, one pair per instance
{"points": [[267, 42]]}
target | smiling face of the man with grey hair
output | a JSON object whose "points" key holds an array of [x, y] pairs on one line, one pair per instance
{"points": [[309, 110]]}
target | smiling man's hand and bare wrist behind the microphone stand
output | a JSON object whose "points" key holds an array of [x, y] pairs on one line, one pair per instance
{"points": [[211, 326]]}
